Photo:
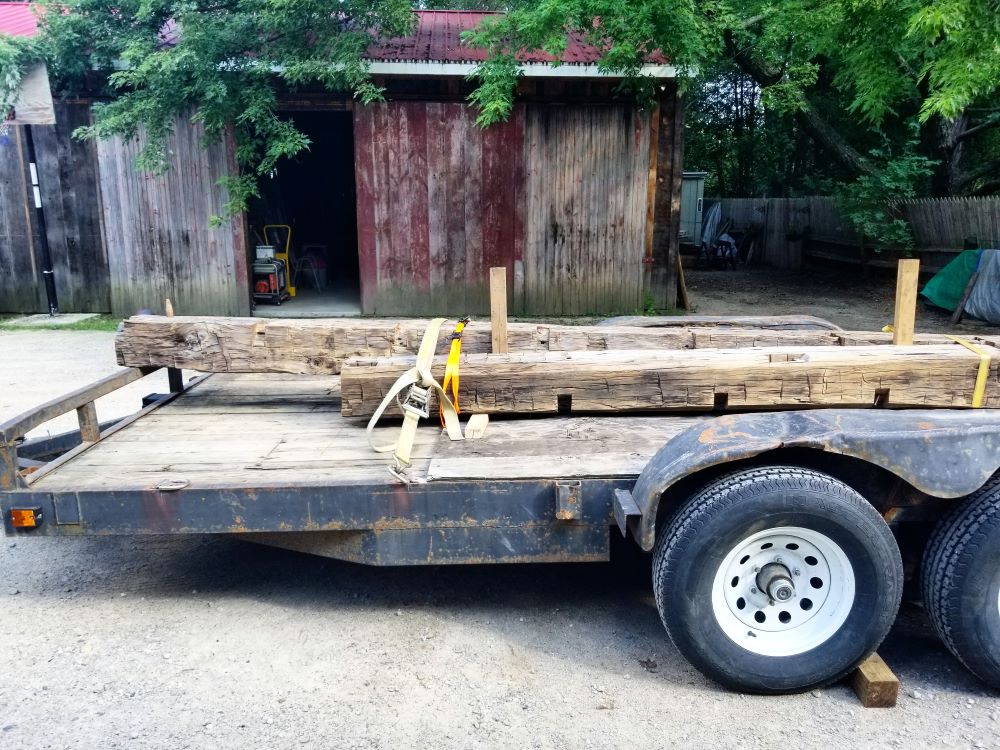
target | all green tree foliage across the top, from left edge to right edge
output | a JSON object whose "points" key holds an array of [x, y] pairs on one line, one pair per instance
{"points": [[873, 93]]}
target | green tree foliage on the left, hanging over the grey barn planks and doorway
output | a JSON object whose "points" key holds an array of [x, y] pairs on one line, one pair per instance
{"points": [[225, 61]]}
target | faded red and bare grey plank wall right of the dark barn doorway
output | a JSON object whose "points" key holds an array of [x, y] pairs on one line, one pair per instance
{"points": [[440, 201]]}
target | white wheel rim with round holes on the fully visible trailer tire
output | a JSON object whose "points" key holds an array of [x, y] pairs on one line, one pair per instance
{"points": [[783, 591]]}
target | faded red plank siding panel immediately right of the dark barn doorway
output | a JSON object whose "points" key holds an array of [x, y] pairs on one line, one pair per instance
{"points": [[439, 203]]}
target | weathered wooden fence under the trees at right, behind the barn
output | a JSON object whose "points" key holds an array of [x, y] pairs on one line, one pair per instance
{"points": [[941, 228]]}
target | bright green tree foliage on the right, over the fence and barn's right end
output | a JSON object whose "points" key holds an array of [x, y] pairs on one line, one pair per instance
{"points": [[872, 100]]}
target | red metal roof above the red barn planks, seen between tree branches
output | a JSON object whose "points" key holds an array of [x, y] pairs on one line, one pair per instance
{"points": [[437, 38]]}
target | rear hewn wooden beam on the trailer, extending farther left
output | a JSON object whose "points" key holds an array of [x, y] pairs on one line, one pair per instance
{"points": [[319, 347]]}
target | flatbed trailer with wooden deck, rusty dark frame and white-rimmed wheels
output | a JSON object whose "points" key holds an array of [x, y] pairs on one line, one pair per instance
{"points": [[781, 540]]}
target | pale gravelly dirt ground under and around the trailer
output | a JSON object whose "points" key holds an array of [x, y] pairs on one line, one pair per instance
{"points": [[164, 642]]}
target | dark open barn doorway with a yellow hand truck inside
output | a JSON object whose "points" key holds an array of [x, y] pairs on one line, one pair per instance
{"points": [[313, 194]]}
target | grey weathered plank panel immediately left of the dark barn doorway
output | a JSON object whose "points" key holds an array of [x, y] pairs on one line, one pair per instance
{"points": [[160, 243]]}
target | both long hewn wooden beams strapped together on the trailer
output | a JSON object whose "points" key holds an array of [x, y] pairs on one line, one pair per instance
{"points": [[560, 368]]}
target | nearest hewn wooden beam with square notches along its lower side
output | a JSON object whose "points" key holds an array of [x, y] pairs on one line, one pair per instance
{"points": [[701, 379]]}
